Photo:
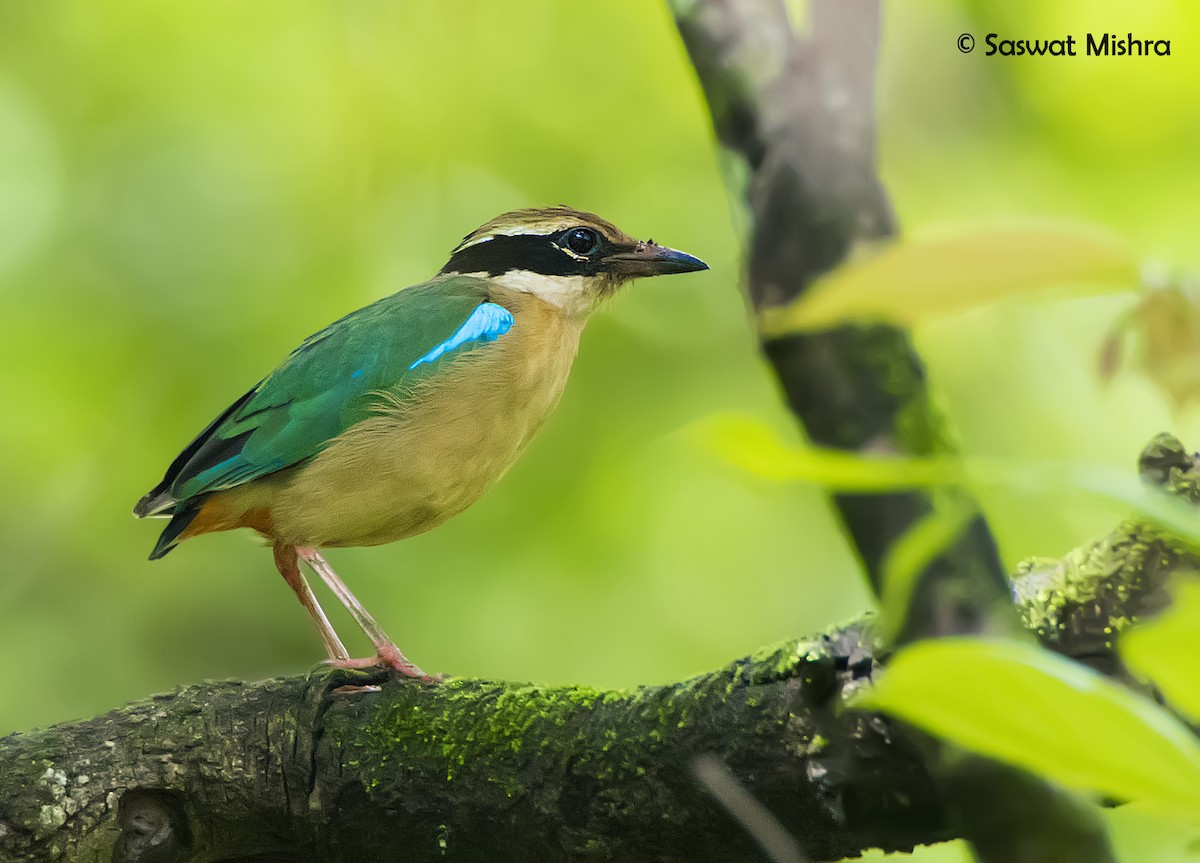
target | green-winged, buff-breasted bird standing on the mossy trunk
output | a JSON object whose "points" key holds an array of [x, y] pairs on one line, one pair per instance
{"points": [[404, 413]]}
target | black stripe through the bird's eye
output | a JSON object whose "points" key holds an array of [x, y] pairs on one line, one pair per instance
{"points": [[543, 254]]}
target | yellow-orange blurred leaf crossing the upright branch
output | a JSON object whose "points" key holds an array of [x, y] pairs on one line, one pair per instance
{"points": [[915, 281]]}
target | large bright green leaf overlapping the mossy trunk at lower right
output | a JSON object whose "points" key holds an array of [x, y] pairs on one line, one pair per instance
{"points": [[1027, 706]]}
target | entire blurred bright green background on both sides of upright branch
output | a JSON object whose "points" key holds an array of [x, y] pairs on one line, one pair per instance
{"points": [[188, 190]]}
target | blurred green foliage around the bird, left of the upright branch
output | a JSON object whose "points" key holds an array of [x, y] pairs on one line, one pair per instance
{"points": [[202, 191]]}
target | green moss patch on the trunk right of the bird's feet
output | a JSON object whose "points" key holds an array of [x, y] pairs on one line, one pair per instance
{"points": [[485, 734]]}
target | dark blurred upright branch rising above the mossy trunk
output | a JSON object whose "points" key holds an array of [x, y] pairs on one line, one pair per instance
{"points": [[794, 106]]}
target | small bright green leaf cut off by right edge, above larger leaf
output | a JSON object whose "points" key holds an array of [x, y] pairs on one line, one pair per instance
{"points": [[1167, 650]]}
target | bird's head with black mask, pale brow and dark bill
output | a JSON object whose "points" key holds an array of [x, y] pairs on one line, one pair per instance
{"points": [[571, 259]]}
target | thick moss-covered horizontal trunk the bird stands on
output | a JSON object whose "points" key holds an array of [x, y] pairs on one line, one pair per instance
{"points": [[303, 770]]}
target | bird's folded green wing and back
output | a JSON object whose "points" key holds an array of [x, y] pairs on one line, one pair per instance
{"points": [[328, 385]]}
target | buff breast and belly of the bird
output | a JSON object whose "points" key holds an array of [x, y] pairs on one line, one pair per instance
{"points": [[422, 460]]}
